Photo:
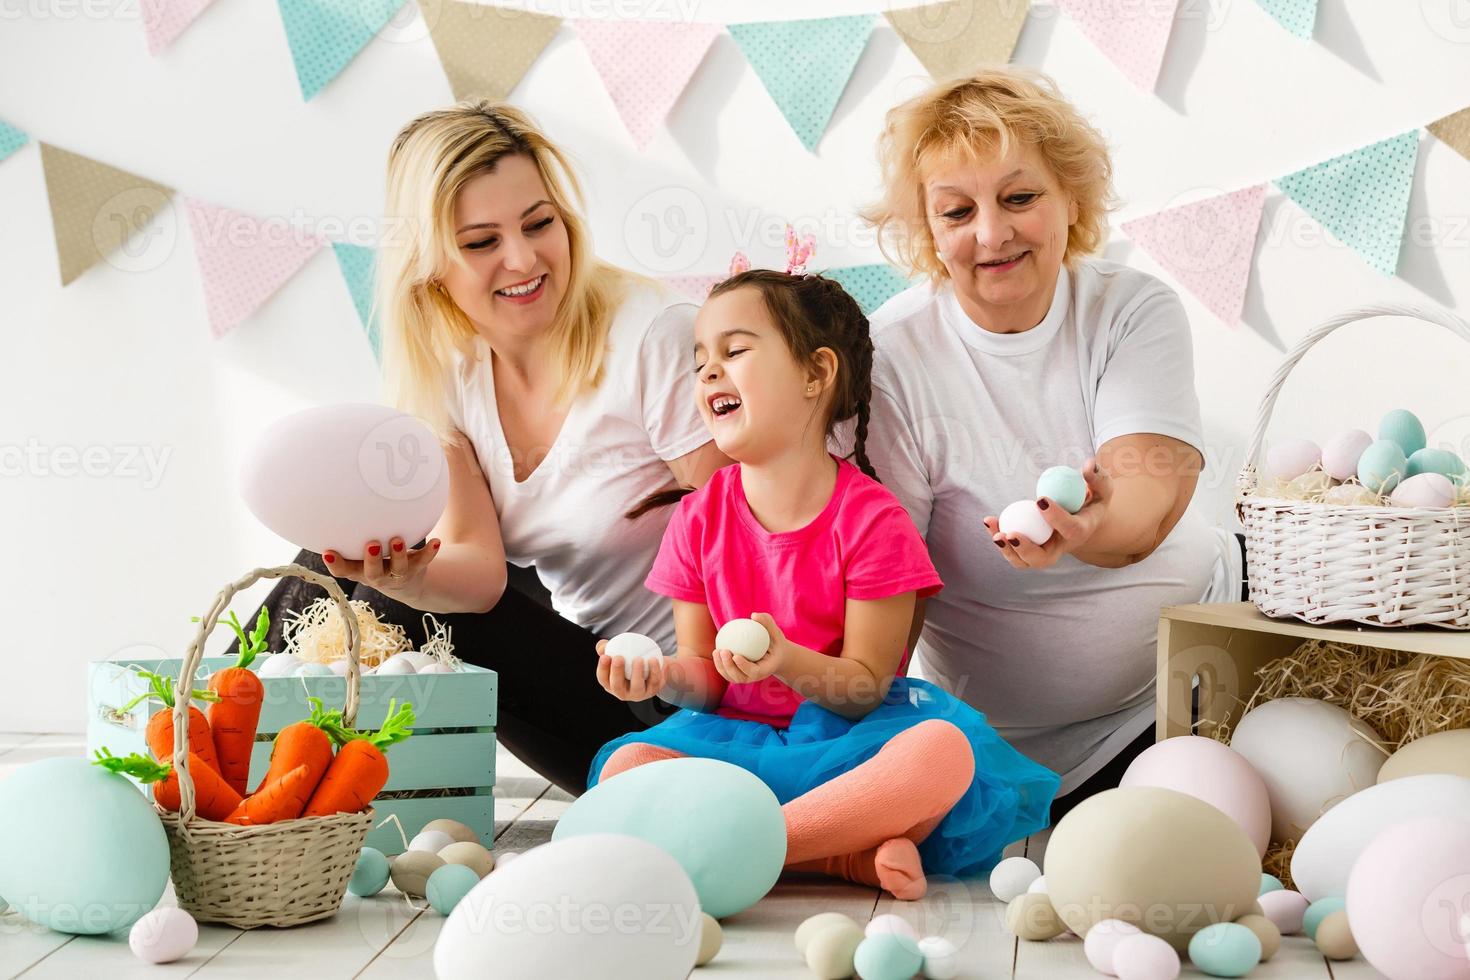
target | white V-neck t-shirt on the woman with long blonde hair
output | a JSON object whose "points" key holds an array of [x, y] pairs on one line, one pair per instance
{"points": [[567, 519]]}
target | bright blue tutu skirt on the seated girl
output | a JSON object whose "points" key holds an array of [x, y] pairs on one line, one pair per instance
{"points": [[1009, 799]]}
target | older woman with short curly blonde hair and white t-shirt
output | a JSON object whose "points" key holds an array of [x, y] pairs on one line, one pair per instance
{"points": [[1018, 353]]}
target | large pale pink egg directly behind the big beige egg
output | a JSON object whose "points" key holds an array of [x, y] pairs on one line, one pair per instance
{"points": [[1212, 772]]}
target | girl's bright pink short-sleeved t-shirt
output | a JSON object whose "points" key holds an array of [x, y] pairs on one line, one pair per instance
{"points": [[864, 546]]}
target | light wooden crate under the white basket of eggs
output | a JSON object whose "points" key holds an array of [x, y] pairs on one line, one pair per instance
{"points": [[1225, 644]]}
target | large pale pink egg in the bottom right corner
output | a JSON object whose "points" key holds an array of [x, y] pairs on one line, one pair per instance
{"points": [[1406, 898]]}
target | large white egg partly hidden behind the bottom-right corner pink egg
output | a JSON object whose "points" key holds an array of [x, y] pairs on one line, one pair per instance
{"points": [[1325, 856]]}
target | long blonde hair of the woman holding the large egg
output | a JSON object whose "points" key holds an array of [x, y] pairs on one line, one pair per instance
{"points": [[423, 328]]}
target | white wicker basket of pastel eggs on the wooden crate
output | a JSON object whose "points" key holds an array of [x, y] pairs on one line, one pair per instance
{"points": [[1328, 563]]}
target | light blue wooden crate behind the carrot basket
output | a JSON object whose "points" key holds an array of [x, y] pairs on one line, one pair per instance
{"points": [[453, 746]]}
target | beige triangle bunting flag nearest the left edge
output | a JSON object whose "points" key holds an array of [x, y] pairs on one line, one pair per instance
{"points": [[95, 208]]}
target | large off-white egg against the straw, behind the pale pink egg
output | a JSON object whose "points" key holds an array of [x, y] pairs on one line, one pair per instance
{"points": [[1311, 754]]}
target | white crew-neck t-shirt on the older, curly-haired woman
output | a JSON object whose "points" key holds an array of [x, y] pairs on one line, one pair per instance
{"points": [[964, 421]]}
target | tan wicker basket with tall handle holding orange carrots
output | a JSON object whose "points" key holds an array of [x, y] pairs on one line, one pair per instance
{"points": [[277, 875]]}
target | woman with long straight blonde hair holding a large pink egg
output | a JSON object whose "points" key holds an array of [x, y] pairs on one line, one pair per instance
{"points": [[562, 392]]}
